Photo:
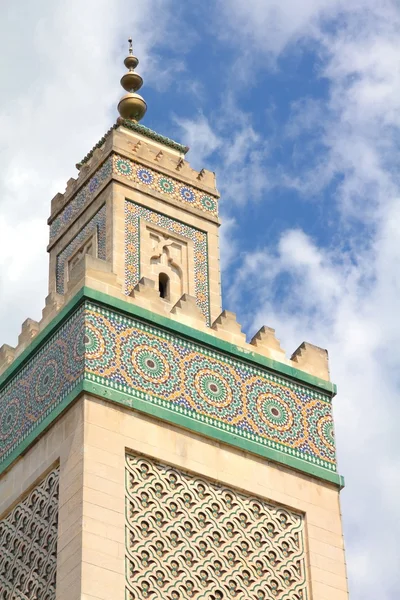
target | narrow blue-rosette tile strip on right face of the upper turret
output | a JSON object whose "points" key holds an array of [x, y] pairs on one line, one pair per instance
{"points": [[150, 179]]}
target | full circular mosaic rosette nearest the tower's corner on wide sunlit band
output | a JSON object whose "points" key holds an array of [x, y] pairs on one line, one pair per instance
{"points": [[150, 365]]}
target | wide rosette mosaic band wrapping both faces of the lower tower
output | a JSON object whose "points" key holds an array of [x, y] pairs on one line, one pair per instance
{"points": [[169, 373]]}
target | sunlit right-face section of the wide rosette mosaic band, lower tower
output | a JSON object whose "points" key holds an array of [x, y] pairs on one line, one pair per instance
{"points": [[209, 387]]}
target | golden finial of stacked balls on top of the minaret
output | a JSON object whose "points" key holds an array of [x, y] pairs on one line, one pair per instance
{"points": [[131, 106]]}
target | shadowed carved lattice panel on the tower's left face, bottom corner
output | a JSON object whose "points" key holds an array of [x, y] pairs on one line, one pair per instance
{"points": [[28, 541]]}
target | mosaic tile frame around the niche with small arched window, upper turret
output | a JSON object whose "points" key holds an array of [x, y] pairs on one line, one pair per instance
{"points": [[133, 214]]}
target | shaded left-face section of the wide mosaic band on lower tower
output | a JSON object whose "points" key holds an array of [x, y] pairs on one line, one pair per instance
{"points": [[42, 384]]}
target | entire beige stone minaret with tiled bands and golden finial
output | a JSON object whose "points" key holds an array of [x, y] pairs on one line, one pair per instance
{"points": [[147, 450]]}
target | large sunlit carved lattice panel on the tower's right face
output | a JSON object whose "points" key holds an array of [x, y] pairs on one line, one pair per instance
{"points": [[188, 537]]}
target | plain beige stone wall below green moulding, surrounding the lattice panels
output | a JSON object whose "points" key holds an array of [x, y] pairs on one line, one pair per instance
{"points": [[90, 442]]}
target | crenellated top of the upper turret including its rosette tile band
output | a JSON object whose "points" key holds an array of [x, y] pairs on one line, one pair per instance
{"points": [[128, 155]]}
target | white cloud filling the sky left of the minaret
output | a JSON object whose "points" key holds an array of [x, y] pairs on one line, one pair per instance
{"points": [[60, 67]]}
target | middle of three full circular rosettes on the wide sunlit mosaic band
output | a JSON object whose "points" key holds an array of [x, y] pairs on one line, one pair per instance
{"points": [[217, 388]]}
